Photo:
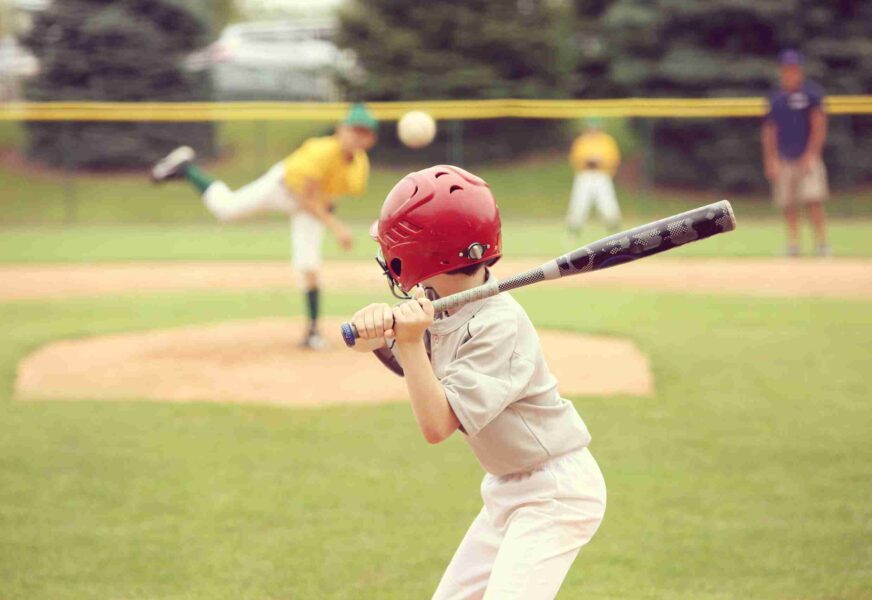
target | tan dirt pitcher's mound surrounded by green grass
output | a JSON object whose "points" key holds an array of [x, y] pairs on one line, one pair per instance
{"points": [[259, 361]]}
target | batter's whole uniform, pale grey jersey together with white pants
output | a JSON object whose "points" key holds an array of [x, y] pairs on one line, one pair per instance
{"points": [[544, 495]]}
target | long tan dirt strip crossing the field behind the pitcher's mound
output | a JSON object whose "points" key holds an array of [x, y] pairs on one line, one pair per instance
{"points": [[842, 278]]}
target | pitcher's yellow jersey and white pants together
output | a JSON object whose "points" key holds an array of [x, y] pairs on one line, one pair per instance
{"points": [[320, 161]]}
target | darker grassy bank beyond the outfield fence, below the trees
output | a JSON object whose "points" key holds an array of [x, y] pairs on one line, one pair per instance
{"points": [[536, 188]]}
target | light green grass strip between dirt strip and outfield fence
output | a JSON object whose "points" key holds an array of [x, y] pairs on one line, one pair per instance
{"points": [[270, 241]]}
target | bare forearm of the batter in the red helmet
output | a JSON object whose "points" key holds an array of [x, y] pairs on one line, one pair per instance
{"points": [[434, 415]]}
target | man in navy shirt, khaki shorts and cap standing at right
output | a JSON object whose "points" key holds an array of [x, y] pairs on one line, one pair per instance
{"points": [[794, 133]]}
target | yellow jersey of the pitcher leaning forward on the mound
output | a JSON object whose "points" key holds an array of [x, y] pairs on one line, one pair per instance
{"points": [[323, 161]]}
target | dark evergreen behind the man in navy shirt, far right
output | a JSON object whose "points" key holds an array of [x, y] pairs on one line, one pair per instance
{"points": [[728, 48]]}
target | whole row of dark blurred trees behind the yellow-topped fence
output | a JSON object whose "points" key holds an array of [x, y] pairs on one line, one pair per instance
{"points": [[130, 50]]}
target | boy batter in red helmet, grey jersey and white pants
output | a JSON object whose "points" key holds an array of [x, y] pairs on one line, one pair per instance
{"points": [[480, 370]]}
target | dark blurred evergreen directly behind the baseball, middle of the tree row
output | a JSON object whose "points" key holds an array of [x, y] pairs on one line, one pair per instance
{"points": [[463, 49]]}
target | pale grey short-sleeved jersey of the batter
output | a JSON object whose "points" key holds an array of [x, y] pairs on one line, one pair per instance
{"points": [[488, 358]]}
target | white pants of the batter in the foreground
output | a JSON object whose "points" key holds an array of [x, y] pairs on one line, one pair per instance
{"points": [[528, 533]]}
